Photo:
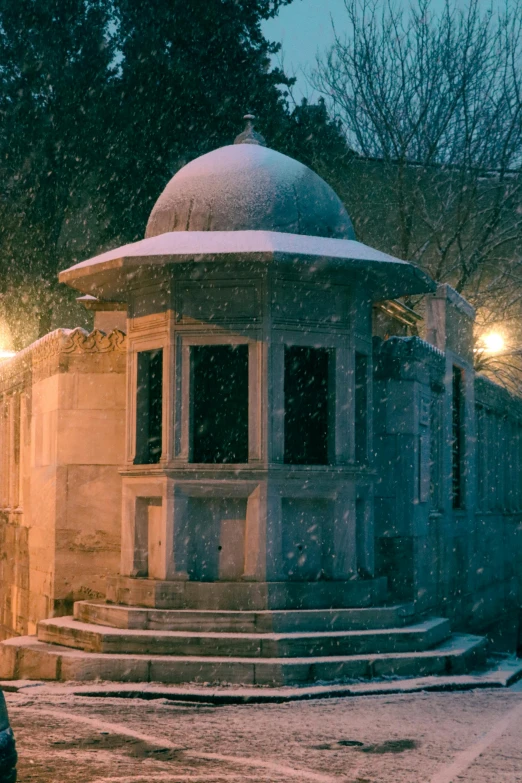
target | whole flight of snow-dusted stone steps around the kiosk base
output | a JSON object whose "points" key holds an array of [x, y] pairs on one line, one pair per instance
{"points": [[260, 646]]}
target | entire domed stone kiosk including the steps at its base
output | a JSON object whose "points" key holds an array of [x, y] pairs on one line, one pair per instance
{"points": [[248, 486]]}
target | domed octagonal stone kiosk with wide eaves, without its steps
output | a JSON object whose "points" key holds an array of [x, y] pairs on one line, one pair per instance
{"points": [[249, 397]]}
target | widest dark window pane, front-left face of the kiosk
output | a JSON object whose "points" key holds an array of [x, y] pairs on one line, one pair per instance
{"points": [[220, 403]]}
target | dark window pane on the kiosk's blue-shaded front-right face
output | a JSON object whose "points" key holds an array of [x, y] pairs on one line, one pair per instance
{"points": [[306, 406]]}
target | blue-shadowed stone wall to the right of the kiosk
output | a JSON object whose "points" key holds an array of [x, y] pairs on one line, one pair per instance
{"points": [[458, 559]]}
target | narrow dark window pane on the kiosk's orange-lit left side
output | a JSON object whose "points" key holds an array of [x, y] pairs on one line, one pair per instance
{"points": [[149, 405]]}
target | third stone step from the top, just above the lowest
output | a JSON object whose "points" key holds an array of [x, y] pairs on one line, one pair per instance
{"points": [[68, 632]]}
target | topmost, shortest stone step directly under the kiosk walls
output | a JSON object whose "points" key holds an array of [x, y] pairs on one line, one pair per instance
{"points": [[251, 596]]}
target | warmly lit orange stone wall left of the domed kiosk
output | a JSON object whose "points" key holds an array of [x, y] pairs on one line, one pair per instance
{"points": [[62, 408]]}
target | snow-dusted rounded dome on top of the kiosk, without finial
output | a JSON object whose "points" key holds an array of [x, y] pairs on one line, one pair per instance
{"points": [[248, 187]]}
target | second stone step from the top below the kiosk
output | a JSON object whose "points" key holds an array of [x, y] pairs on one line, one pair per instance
{"points": [[278, 621]]}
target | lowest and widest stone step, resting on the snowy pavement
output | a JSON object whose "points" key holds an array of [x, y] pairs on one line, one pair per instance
{"points": [[27, 658]]}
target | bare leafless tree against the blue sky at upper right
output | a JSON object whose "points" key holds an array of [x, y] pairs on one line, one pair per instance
{"points": [[431, 104]]}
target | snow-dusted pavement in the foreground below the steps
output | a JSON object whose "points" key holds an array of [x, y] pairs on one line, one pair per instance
{"points": [[460, 737]]}
